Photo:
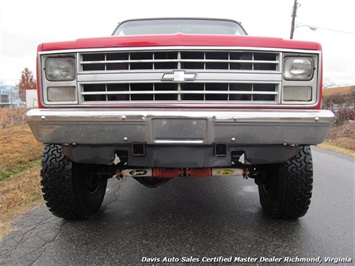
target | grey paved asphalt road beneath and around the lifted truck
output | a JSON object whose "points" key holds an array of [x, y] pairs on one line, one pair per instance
{"points": [[193, 219]]}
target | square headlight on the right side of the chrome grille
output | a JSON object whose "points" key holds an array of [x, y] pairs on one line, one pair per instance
{"points": [[298, 68]]}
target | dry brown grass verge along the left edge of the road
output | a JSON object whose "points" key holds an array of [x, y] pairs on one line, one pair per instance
{"points": [[19, 167]]}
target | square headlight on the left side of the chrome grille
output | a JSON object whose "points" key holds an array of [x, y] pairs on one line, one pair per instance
{"points": [[60, 68]]}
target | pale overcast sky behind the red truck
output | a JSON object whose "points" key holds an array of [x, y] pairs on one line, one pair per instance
{"points": [[26, 23]]}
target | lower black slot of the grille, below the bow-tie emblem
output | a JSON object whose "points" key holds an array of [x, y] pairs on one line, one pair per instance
{"points": [[233, 92]]}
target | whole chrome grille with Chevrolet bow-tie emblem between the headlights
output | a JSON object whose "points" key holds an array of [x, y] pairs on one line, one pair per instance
{"points": [[219, 75]]}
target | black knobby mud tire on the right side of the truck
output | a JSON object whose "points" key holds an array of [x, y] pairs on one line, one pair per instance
{"points": [[286, 193]]}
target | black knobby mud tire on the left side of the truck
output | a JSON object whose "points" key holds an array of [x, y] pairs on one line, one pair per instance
{"points": [[72, 191]]}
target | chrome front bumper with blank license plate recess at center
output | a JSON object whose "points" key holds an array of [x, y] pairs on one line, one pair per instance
{"points": [[179, 127]]}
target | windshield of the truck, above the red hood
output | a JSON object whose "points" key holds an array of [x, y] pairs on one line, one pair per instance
{"points": [[172, 26]]}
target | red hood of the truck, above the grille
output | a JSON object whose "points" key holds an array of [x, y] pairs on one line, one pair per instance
{"points": [[180, 40]]}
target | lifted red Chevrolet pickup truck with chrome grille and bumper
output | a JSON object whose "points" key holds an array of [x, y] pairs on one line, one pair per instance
{"points": [[170, 97]]}
